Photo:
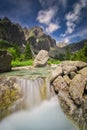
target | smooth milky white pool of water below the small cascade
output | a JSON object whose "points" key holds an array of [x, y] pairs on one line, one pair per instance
{"points": [[48, 116]]}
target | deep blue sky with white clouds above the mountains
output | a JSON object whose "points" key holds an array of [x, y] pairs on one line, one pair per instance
{"points": [[64, 20]]}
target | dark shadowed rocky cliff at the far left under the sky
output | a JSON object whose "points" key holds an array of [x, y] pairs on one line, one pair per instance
{"points": [[11, 32]]}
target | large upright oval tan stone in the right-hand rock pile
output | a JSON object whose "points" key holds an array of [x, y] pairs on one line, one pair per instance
{"points": [[76, 88]]}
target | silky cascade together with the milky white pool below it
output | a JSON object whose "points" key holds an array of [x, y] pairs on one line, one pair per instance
{"points": [[42, 111]]}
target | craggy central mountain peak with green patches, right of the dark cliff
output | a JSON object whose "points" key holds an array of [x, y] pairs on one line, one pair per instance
{"points": [[38, 39]]}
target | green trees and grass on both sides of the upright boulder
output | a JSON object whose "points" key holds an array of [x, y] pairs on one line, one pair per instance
{"points": [[24, 57]]}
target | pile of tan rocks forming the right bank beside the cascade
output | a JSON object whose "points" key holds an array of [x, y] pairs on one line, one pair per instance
{"points": [[71, 87]]}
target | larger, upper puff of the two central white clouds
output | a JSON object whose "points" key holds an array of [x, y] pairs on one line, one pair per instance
{"points": [[45, 16]]}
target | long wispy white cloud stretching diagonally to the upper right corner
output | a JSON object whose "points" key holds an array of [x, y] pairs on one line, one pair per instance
{"points": [[73, 16]]}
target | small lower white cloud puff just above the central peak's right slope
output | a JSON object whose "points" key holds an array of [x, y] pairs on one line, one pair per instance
{"points": [[52, 27]]}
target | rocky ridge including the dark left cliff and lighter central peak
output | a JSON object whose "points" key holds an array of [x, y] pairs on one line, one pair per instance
{"points": [[14, 33]]}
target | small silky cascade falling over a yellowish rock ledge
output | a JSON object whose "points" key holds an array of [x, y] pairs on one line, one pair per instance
{"points": [[33, 91]]}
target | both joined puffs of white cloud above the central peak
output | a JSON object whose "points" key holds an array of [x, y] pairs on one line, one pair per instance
{"points": [[47, 17]]}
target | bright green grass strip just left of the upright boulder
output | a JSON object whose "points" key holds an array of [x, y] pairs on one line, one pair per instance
{"points": [[22, 63]]}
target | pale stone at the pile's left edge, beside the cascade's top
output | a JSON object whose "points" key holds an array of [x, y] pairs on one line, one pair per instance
{"points": [[55, 73]]}
